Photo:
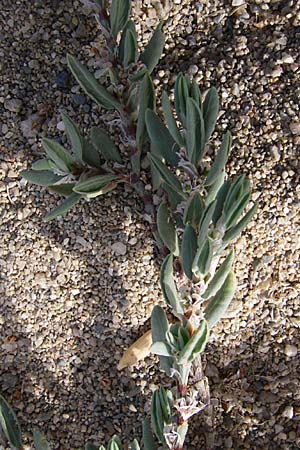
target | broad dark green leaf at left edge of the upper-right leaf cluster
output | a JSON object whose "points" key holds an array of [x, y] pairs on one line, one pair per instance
{"points": [[162, 141]]}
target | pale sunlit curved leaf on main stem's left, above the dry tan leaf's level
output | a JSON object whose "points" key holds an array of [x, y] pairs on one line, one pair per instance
{"points": [[168, 285]]}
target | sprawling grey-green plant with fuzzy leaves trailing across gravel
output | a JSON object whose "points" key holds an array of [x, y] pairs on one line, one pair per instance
{"points": [[201, 210]]}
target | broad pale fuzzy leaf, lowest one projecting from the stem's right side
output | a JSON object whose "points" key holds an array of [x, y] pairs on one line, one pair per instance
{"points": [[218, 305]]}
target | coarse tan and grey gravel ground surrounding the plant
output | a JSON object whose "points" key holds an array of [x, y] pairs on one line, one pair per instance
{"points": [[69, 305]]}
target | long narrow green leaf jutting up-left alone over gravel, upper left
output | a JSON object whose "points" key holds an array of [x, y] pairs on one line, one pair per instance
{"points": [[90, 85]]}
